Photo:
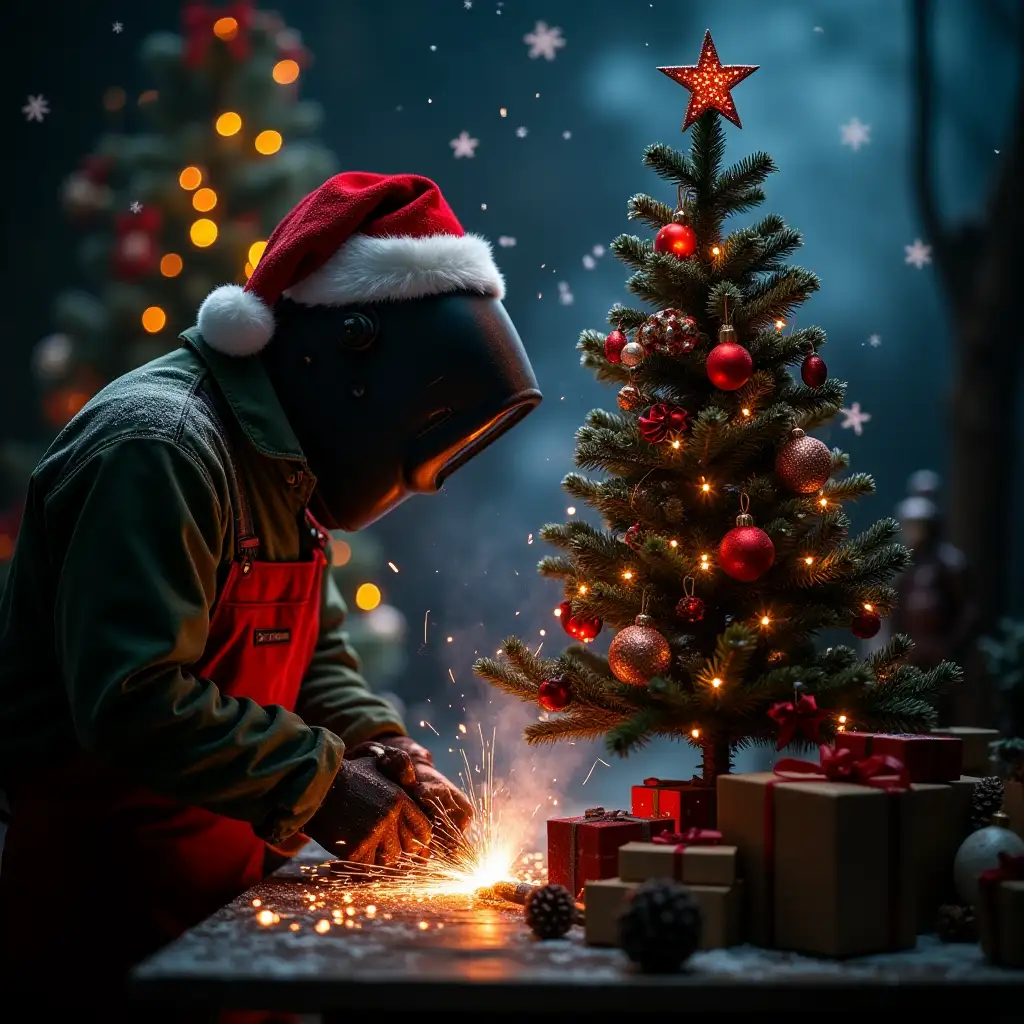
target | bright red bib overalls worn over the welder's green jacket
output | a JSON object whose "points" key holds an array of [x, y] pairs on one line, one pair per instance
{"points": [[99, 872]]}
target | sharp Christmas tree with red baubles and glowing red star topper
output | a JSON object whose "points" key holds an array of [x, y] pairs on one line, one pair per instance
{"points": [[726, 550]]}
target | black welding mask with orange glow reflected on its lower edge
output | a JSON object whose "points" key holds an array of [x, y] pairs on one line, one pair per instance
{"points": [[389, 400]]}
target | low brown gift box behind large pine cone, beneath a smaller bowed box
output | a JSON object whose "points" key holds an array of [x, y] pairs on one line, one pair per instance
{"points": [[720, 913]]}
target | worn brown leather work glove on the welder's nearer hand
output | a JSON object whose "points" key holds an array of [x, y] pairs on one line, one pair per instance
{"points": [[368, 819]]}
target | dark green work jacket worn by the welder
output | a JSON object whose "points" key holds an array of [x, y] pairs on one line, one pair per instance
{"points": [[129, 530]]}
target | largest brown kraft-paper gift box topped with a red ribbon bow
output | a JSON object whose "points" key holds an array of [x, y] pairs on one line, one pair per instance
{"points": [[828, 852]]}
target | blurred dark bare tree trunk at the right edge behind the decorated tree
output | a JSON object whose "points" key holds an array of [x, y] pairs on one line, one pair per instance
{"points": [[979, 265]]}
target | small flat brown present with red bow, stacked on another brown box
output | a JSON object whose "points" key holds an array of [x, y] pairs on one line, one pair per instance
{"points": [[695, 858]]}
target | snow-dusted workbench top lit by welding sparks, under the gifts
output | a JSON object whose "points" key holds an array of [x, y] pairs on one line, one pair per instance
{"points": [[459, 955]]}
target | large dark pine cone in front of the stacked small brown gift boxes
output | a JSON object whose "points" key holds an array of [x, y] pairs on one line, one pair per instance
{"points": [[661, 927]]}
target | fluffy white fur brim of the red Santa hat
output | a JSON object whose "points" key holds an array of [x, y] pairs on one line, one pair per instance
{"points": [[372, 270]]}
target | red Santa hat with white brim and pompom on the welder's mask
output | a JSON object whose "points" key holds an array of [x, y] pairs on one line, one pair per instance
{"points": [[359, 238]]}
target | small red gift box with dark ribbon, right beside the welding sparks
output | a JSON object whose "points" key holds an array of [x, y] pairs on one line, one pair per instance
{"points": [[587, 847]]}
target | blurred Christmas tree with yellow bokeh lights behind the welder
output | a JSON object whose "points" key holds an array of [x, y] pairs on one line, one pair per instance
{"points": [[179, 196]]}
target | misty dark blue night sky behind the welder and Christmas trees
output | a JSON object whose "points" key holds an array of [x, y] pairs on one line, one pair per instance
{"points": [[400, 80]]}
